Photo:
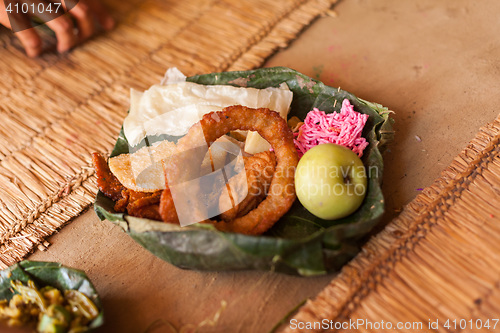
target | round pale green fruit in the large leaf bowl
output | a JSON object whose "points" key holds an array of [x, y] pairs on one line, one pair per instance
{"points": [[330, 181]]}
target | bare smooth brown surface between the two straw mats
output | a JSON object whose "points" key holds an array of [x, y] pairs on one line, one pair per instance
{"points": [[436, 64]]}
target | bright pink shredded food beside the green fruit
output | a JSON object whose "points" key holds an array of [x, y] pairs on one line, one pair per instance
{"points": [[342, 128]]}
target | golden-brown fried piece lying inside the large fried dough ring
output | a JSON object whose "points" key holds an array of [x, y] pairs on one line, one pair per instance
{"points": [[259, 170]]}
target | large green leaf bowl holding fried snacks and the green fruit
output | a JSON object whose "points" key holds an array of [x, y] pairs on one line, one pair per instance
{"points": [[300, 243]]}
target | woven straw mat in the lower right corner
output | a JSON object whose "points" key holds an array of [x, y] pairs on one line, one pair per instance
{"points": [[438, 260]]}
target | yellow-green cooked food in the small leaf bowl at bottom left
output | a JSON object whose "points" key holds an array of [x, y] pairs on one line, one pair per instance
{"points": [[48, 308]]}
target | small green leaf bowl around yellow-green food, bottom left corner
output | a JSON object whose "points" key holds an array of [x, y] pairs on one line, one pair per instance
{"points": [[50, 274]]}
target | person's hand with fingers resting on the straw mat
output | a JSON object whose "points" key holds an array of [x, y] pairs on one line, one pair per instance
{"points": [[16, 14]]}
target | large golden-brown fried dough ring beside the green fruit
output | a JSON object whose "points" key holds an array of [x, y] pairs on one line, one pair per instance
{"points": [[272, 128]]}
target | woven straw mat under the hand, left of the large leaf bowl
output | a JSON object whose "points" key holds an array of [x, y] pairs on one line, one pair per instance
{"points": [[56, 110]]}
